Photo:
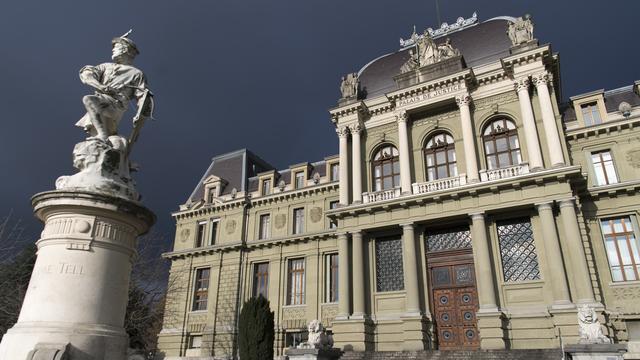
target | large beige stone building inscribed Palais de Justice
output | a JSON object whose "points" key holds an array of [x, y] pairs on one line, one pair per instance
{"points": [[468, 208]]}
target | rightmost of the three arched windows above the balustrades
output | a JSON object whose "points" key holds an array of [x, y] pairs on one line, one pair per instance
{"points": [[501, 145]]}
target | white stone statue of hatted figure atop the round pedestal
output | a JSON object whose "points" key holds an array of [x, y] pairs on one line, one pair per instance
{"points": [[103, 158]]}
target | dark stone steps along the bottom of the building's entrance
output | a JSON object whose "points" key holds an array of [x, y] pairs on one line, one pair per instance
{"points": [[538, 354]]}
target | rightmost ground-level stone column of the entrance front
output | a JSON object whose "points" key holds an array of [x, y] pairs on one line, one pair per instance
{"points": [[578, 260]]}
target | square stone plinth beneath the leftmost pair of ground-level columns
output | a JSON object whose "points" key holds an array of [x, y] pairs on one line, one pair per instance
{"points": [[353, 334]]}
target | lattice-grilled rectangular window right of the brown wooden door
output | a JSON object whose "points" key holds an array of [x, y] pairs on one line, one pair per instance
{"points": [[518, 250]]}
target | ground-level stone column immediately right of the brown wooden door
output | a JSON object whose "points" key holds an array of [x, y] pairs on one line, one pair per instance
{"points": [[483, 265]]}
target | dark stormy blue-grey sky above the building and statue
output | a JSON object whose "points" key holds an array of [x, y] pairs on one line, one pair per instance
{"points": [[229, 74]]}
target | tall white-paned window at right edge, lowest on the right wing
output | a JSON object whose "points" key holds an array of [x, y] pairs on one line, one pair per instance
{"points": [[622, 248]]}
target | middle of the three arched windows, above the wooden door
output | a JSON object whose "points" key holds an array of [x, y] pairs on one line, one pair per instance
{"points": [[440, 156]]}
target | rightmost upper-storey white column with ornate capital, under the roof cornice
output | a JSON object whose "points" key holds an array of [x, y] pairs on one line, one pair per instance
{"points": [[556, 155]]}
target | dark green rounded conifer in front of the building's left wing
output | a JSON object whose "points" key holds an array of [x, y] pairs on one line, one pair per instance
{"points": [[256, 330]]}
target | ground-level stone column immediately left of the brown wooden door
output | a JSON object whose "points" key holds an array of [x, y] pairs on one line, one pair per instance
{"points": [[410, 269]]}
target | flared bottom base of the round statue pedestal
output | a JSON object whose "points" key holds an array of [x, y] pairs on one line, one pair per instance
{"points": [[84, 341]]}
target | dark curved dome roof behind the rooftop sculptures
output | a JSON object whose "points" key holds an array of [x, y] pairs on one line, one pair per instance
{"points": [[479, 44]]}
